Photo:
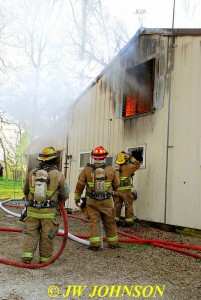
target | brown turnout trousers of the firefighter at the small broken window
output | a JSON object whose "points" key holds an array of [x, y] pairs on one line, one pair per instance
{"points": [[125, 197]]}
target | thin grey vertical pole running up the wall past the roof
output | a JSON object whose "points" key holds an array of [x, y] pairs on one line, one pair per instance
{"points": [[168, 121]]}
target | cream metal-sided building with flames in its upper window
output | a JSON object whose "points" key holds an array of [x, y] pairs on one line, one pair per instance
{"points": [[148, 97]]}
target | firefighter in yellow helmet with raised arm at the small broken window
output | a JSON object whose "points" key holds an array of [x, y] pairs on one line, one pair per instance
{"points": [[126, 166]]}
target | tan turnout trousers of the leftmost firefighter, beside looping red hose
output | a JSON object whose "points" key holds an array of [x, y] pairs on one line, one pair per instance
{"points": [[40, 231]]}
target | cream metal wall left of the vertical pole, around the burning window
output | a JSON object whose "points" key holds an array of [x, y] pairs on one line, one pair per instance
{"points": [[95, 121]]}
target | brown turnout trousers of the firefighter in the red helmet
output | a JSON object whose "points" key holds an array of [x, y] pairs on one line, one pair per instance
{"points": [[103, 209]]}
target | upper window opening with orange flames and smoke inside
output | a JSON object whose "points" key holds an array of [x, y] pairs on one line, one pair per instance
{"points": [[138, 90]]}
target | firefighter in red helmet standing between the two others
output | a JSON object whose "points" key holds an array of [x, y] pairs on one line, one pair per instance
{"points": [[100, 180]]}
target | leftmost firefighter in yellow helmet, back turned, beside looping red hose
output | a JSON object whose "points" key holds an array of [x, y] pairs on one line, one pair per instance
{"points": [[41, 220]]}
